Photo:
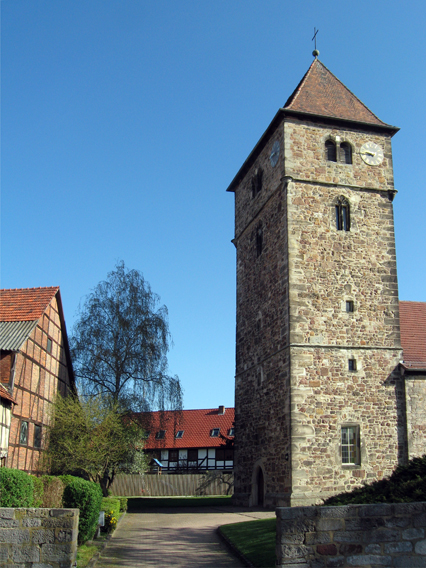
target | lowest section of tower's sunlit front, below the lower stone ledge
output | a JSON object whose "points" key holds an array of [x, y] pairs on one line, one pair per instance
{"points": [[325, 397]]}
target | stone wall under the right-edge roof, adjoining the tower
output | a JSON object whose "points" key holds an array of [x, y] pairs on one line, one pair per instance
{"points": [[415, 393]]}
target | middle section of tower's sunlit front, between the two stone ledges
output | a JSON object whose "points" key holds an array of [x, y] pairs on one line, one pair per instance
{"points": [[329, 267]]}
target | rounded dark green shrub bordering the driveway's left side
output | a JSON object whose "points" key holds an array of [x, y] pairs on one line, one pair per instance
{"points": [[86, 496]]}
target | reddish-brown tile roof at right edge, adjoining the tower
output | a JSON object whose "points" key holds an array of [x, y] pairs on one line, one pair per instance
{"points": [[413, 333]]}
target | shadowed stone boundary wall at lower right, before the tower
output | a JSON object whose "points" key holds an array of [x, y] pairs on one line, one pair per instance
{"points": [[352, 535]]}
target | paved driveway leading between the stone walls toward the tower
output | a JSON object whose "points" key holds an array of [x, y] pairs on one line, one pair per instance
{"points": [[175, 537]]}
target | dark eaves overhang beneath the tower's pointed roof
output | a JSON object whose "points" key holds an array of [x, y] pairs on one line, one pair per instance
{"points": [[283, 113]]}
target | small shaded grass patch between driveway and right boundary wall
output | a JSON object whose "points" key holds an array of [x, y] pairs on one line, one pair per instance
{"points": [[254, 539]]}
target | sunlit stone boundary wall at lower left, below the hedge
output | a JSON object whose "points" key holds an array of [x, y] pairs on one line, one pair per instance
{"points": [[38, 538]]}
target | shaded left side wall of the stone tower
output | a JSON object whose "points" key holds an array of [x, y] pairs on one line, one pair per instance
{"points": [[262, 417]]}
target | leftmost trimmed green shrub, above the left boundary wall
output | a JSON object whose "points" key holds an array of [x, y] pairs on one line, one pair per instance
{"points": [[16, 488]]}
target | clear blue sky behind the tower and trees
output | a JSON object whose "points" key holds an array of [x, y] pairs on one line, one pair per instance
{"points": [[124, 121]]}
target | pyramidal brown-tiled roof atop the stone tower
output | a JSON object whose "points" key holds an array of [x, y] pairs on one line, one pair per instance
{"points": [[320, 93]]}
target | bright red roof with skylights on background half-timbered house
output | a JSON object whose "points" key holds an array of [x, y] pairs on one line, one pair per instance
{"points": [[196, 425]]}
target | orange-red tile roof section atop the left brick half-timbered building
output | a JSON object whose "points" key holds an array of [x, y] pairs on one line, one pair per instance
{"points": [[25, 304]]}
